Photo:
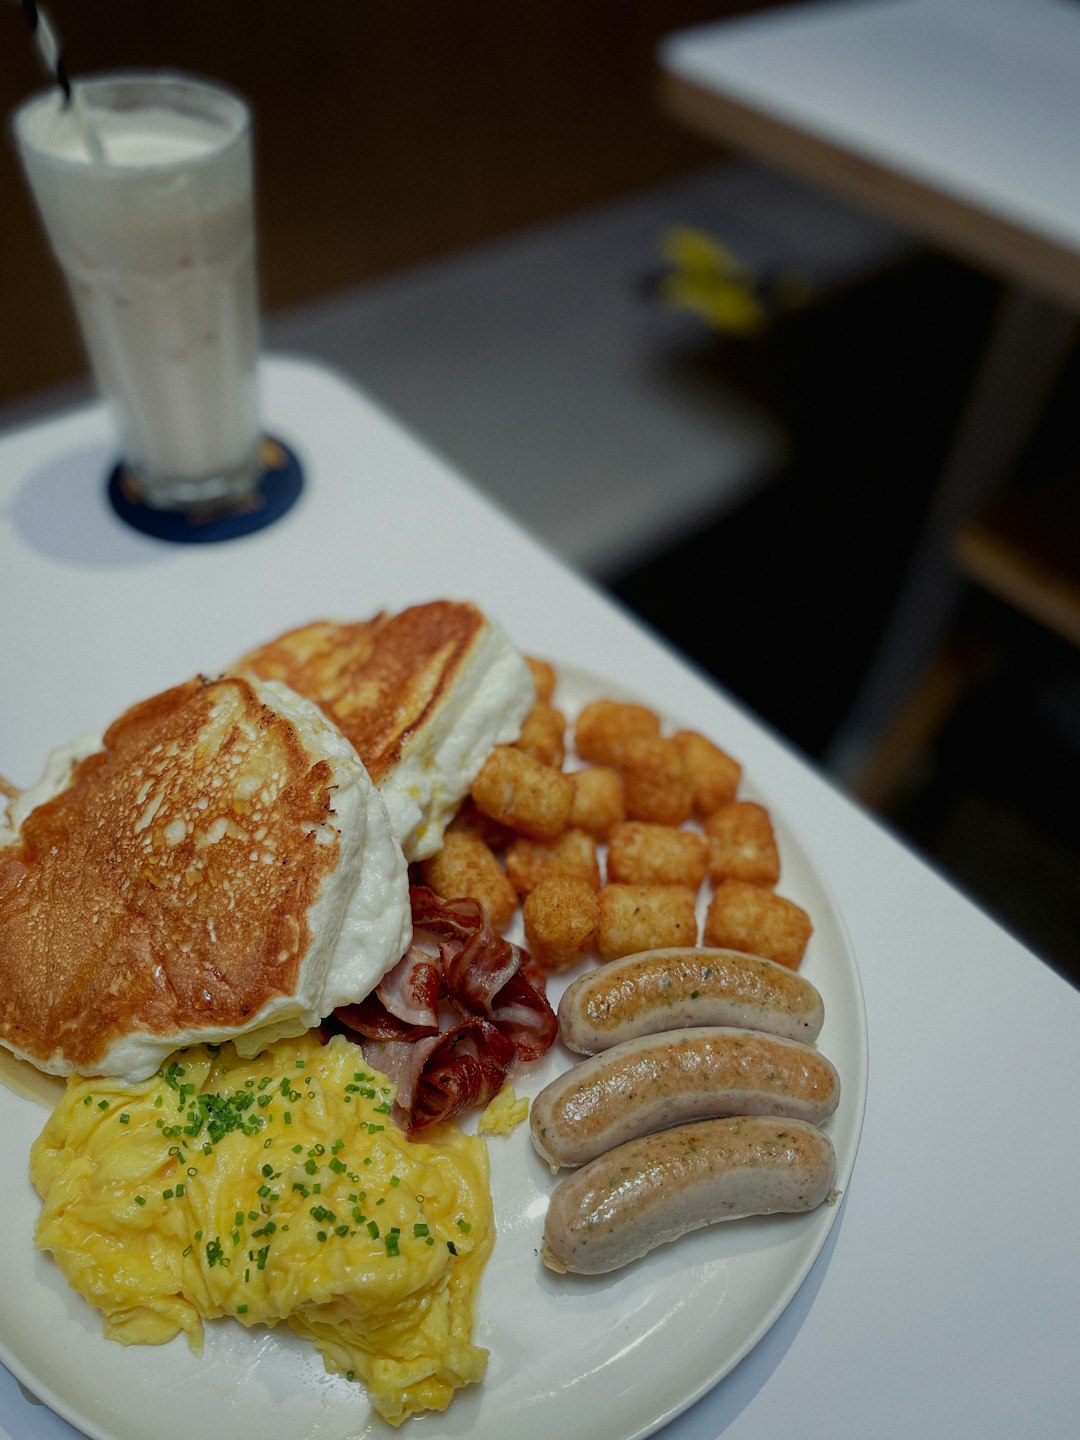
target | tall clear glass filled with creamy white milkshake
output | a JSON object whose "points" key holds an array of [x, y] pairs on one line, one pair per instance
{"points": [[146, 195]]}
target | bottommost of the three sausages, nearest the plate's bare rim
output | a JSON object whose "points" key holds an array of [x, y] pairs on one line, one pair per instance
{"points": [[657, 1189]]}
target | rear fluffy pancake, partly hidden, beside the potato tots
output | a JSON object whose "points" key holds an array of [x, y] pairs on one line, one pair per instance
{"points": [[424, 696]]}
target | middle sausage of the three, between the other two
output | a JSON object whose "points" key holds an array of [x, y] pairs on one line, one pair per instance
{"points": [[676, 1076]]}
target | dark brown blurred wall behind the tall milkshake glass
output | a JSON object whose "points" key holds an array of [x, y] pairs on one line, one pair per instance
{"points": [[387, 132]]}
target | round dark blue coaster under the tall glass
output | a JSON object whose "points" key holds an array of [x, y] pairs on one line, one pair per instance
{"points": [[277, 492]]}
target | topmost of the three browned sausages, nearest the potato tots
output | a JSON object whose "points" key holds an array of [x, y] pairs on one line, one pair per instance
{"points": [[670, 989]]}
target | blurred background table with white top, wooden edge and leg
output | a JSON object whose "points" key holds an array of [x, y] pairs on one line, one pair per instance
{"points": [[957, 119]]}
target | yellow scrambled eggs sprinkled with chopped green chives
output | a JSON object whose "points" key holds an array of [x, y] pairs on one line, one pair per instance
{"points": [[274, 1190]]}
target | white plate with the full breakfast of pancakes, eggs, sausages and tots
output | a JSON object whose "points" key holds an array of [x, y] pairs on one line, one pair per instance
{"points": [[390, 1023]]}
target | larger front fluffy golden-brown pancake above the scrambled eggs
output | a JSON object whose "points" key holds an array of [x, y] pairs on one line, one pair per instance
{"points": [[217, 866]]}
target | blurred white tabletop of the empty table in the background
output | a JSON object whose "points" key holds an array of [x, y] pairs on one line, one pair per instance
{"points": [[977, 102]]}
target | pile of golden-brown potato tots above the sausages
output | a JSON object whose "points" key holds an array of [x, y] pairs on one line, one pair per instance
{"points": [[614, 837]]}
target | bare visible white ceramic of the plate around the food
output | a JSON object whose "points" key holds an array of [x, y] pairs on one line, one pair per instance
{"points": [[570, 1356]]}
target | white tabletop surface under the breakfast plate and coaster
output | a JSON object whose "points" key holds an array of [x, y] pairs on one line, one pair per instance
{"points": [[947, 1301]]}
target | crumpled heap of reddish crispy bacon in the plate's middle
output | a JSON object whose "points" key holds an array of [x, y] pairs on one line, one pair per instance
{"points": [[454, 957]]}
